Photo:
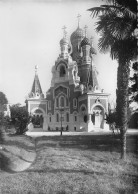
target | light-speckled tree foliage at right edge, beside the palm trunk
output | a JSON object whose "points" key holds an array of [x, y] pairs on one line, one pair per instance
{"points": [[133, 90]]}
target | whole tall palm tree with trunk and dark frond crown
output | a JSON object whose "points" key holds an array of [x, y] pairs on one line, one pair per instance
{"points": [[117, 25]]}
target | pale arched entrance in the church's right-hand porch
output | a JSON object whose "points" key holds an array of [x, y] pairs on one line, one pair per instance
{"points": [[98, 117]]}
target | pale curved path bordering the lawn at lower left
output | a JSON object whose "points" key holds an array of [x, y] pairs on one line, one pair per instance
{"points": [[17, 151]]}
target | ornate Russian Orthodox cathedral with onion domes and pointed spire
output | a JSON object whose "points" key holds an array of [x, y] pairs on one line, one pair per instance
{"points": [[74, 101]]}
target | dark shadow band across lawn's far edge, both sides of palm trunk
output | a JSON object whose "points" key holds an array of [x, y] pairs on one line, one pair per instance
{"points": [[96, 143]]}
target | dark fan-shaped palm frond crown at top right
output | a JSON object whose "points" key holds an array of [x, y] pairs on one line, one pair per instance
{"points": [[115, 25]]}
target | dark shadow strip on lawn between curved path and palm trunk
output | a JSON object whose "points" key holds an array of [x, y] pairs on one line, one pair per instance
{"points": [[78, 141]]}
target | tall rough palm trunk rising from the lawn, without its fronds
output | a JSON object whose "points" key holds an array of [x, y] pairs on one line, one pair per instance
{"points": [[122, 102]]}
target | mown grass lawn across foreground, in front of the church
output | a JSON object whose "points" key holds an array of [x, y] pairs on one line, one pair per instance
{"points": [[77, 164]]}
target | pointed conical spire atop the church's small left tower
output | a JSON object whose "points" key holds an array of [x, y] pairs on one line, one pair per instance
{"points": [[36, 88]]}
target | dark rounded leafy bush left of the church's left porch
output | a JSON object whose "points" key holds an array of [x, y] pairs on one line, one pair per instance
{"points": [[19, 118]]}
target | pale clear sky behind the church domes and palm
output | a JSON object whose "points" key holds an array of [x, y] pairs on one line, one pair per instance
{"points": [[30, 32]]}
